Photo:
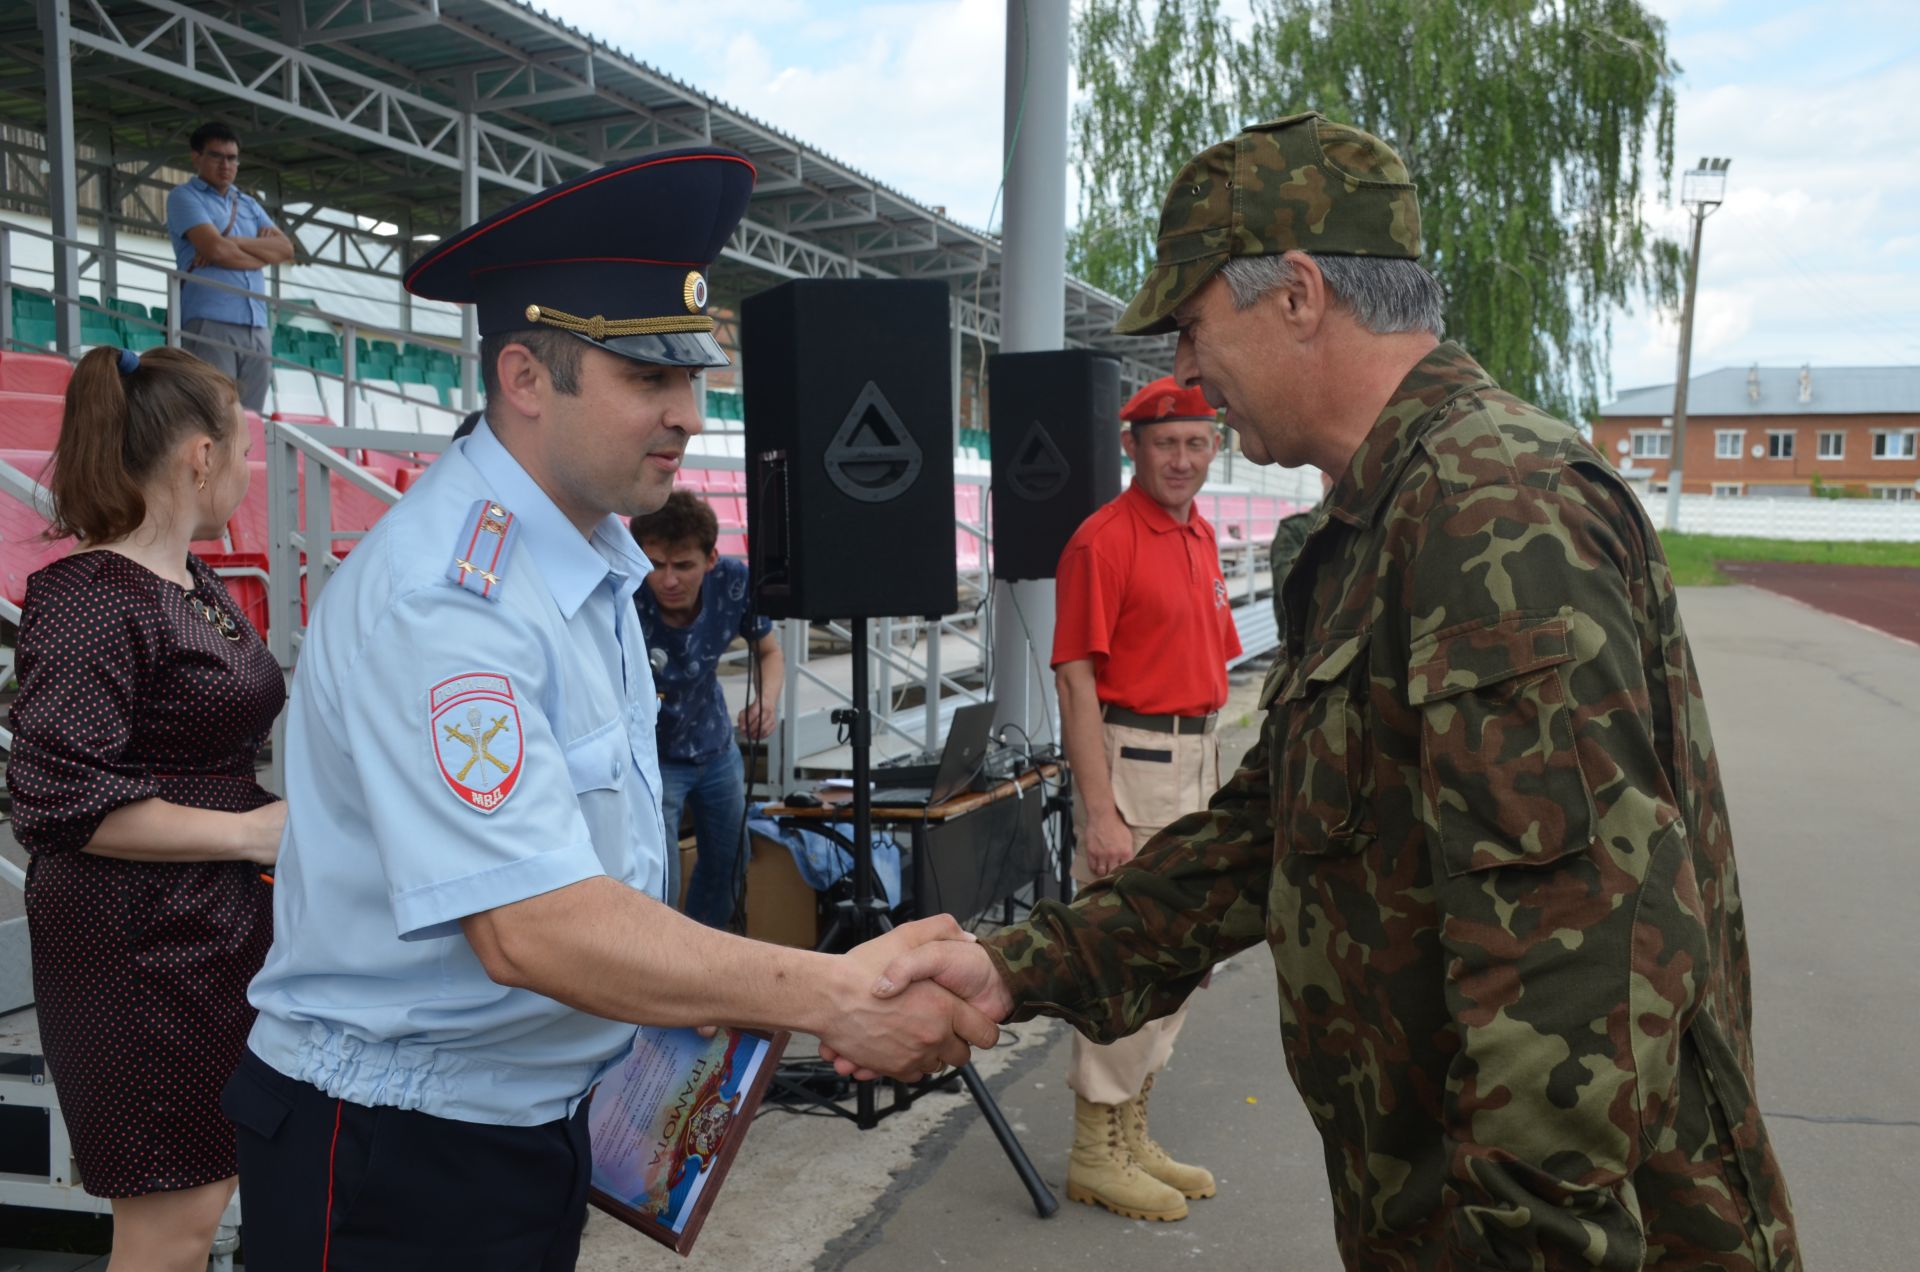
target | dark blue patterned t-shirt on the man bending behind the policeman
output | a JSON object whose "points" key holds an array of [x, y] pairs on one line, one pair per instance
{"points": [[694, 720]]}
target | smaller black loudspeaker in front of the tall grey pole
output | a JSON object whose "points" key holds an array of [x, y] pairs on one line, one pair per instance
{"points": [[1055, 454]]}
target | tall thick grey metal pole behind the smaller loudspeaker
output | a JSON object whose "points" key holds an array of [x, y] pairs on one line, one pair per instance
{"points": [[1034, 264]]}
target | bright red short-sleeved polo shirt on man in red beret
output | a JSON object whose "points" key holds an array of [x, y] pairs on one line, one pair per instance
{"points": [[1141, 599]]}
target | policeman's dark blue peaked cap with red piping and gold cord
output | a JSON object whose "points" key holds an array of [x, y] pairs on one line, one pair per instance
{"points": [[619, 257]]}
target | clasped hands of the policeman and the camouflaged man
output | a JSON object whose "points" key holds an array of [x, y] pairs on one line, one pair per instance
{"points": [[913, 1002]]}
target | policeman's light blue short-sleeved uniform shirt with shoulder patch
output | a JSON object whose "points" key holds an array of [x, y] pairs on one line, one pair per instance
{"points": [[448, 754]]}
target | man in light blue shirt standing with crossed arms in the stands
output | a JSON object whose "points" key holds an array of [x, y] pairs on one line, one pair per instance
{"points": [[224, 235]]}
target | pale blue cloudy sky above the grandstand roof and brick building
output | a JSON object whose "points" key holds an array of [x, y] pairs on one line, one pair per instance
{"points": [[1815, 255]]}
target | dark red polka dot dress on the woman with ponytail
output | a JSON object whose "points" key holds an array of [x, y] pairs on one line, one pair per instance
{"points": [[139, 969]]}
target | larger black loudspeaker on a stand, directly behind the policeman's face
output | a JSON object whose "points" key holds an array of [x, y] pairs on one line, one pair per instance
{"points": [[850, 449]]}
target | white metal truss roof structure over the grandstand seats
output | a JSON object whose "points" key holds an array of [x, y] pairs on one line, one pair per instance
{"points": [[540, 103]]}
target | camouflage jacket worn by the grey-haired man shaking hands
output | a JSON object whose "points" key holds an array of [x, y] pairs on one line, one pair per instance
{"points": [[1487, 844]]}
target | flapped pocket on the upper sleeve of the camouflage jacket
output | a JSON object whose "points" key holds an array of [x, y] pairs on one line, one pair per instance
{"points": [[1500, 773]]}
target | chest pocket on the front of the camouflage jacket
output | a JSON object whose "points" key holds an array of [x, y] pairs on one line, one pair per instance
{"points": [[1322, 766]]}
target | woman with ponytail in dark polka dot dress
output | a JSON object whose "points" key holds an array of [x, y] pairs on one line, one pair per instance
{"points": [[145, 698]]}
